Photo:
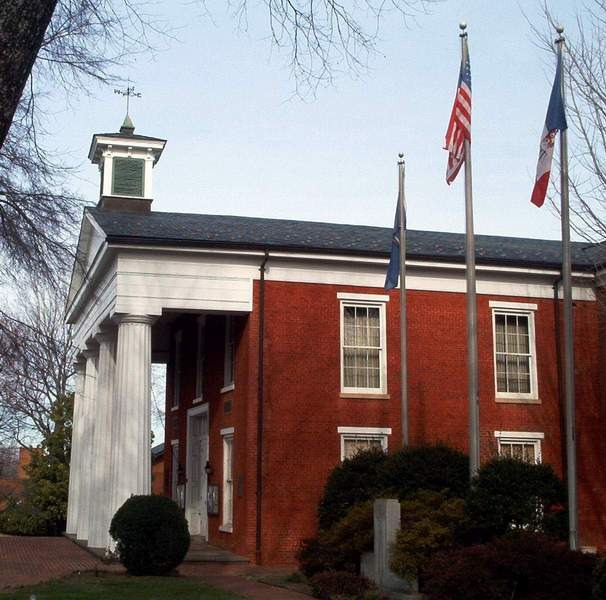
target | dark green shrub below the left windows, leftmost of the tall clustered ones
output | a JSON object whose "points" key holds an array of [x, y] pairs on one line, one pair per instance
{"points": [[354, 481]]}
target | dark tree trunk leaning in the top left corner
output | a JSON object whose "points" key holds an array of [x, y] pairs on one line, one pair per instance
{"points": [[22, 27]]}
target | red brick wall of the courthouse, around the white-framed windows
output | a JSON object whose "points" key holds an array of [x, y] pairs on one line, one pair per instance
{"points": [[303, 407]]}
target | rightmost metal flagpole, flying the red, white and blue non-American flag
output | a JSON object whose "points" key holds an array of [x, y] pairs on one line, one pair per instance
{"points": [[571, 467]]}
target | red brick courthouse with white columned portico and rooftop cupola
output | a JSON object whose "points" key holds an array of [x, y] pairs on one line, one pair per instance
{"points": [[282, 353]]}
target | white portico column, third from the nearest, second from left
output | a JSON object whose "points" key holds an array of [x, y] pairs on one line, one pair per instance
{"points": [[88, 428]]}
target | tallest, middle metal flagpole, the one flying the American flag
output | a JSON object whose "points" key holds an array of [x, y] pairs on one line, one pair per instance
{"points": [[472, 309]]}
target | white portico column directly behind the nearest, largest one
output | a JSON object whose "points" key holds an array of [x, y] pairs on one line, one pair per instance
{"points": [[100, 490]]}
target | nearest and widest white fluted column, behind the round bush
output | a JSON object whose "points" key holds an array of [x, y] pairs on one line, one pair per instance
{"points": [[131, 457]]}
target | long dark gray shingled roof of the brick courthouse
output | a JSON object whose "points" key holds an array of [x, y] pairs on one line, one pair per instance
{"points": [[179, 229]]}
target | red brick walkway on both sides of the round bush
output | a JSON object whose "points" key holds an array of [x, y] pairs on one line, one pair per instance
{"points": [[32, 560]]}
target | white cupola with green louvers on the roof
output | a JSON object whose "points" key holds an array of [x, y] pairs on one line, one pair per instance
{"points": [[126, 161]]}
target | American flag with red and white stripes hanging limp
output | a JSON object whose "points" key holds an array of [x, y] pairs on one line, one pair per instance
{"points": [[459, 127]]}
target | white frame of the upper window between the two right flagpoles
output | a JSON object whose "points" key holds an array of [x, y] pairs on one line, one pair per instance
{"points": [[518, 309]]}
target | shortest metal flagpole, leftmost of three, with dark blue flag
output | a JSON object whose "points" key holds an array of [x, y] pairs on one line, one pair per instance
{"points": [[403, 345]]}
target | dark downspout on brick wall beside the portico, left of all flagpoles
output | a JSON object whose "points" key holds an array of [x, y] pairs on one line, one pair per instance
{"points": [[260, 393]]}
